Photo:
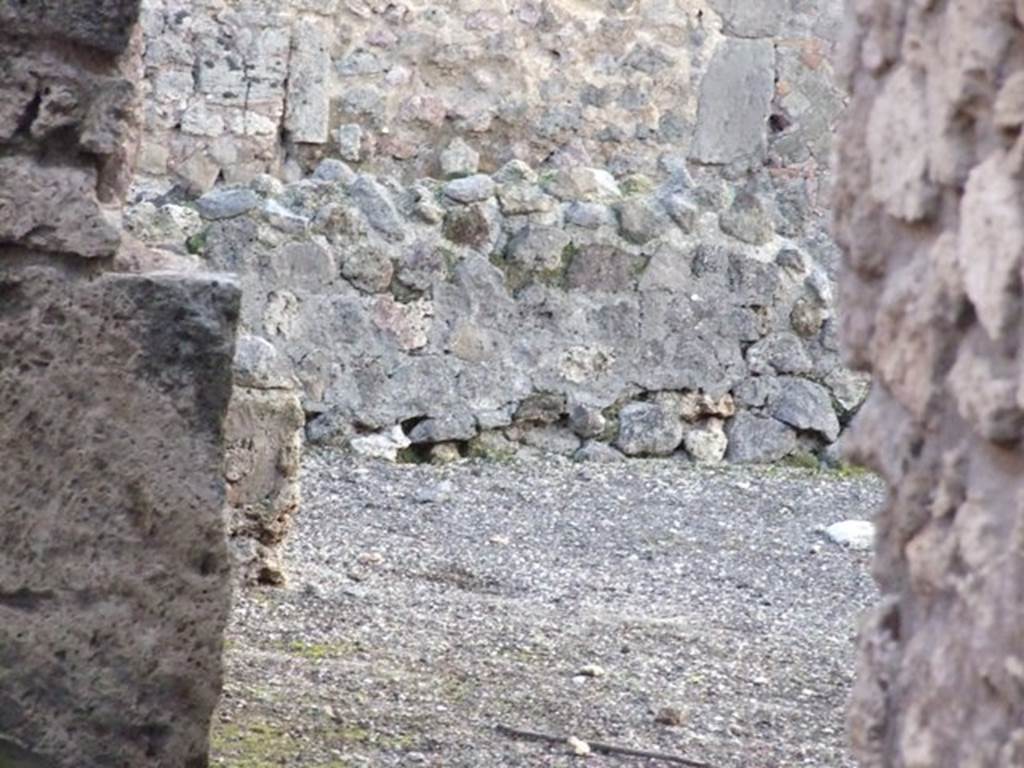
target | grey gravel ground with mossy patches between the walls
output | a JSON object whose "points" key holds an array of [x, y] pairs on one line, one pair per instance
{"points": [[693, 612]]}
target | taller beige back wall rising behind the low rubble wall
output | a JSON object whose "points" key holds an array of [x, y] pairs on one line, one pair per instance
{"points": [[237, 88]]}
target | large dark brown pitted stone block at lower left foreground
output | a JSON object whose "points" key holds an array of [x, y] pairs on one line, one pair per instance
{"points": [[114, 583]]}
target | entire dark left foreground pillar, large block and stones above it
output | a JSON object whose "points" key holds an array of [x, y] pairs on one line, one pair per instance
{"points": [[114, 569]]}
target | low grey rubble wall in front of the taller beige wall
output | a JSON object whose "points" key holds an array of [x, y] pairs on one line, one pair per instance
{"points": [[466, 322]]}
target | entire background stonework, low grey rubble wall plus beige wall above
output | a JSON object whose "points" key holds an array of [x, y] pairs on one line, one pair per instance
{"points": [[606, 208]]}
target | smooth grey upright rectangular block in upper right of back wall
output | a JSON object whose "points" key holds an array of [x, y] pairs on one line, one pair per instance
{"points": [[736, 101]]}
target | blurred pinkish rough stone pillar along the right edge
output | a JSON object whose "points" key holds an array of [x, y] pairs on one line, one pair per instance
{"points": [[930, 212]]}
